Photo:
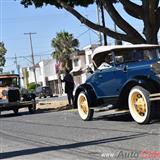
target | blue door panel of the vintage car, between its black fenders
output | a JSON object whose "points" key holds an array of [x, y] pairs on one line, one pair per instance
{"points": [[107, 82]]}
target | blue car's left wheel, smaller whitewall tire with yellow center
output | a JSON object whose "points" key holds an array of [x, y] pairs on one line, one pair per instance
{"points": [[83, 107]]}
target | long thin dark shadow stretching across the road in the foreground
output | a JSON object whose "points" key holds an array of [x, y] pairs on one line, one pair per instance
{"points": [[24, 152]]}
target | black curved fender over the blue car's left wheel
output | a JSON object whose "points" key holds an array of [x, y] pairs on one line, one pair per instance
{"points": [[88, 91]]}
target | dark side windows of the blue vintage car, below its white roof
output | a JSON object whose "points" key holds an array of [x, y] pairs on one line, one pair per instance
{"points": [[137, 55]]}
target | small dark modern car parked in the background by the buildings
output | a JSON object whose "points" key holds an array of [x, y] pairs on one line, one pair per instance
{"points": [[43, 92]]}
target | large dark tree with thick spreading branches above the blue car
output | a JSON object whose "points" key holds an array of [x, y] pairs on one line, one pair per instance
{"points": [[148, 12]]}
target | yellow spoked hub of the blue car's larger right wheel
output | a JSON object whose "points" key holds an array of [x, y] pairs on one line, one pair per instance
{"points": [[138, 103]]}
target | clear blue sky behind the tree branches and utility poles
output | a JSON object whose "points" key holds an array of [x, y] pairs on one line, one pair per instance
{"points": [[46, 22]]}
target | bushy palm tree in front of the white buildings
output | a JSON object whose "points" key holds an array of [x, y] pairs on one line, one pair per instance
{"points": [[64, 44]]}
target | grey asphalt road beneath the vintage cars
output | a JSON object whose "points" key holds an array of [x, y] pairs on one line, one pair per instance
{"points": [[64, 136]]}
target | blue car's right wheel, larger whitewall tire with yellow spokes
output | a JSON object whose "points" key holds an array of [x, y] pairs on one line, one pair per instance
{"points": [[139, 105]]}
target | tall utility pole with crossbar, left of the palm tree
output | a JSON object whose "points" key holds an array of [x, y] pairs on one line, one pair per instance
{"points": [[33, 63]]}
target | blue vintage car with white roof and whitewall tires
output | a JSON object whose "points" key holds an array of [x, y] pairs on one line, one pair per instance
{"points": [[125, 77]]}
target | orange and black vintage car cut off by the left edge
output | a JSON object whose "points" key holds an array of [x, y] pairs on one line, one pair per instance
{"points": [[10, 96]]}
